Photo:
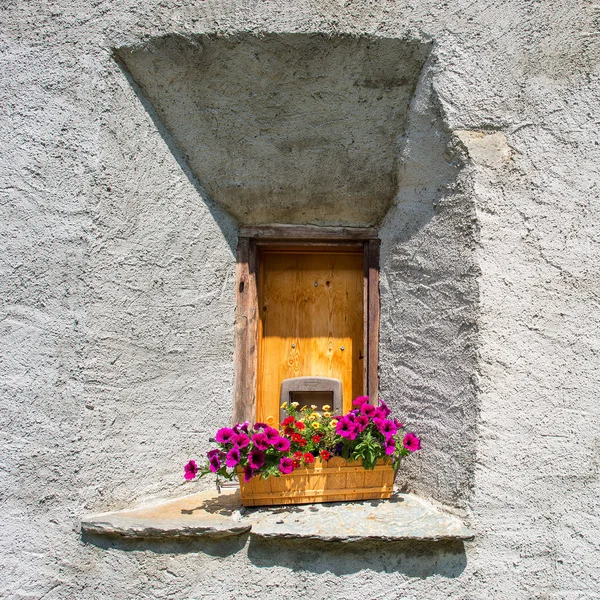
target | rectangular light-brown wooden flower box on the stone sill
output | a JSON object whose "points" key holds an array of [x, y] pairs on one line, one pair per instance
{"points": [[334, 480]]}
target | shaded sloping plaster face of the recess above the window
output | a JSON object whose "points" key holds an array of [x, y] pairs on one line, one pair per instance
{"points": [[289, 128]]}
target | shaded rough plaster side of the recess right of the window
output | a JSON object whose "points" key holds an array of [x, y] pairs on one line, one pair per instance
{"points": [[429, 305]]}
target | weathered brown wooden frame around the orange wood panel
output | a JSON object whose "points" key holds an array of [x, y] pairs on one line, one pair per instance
{"points": [[250, 239]]}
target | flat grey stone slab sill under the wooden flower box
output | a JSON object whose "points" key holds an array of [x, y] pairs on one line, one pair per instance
{"points": [[212, 515]]}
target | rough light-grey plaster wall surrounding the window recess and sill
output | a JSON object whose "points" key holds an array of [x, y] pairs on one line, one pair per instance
{"points": [[117, 303]]}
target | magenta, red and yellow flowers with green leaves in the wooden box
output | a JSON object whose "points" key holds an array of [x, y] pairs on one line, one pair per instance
{"points": [[366, 433]]}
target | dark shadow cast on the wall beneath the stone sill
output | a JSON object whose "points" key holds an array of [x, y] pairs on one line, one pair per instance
{"points": [[413, 559]]}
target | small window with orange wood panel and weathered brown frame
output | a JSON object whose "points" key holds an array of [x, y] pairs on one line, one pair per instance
{"points": [[307, 306]]}
